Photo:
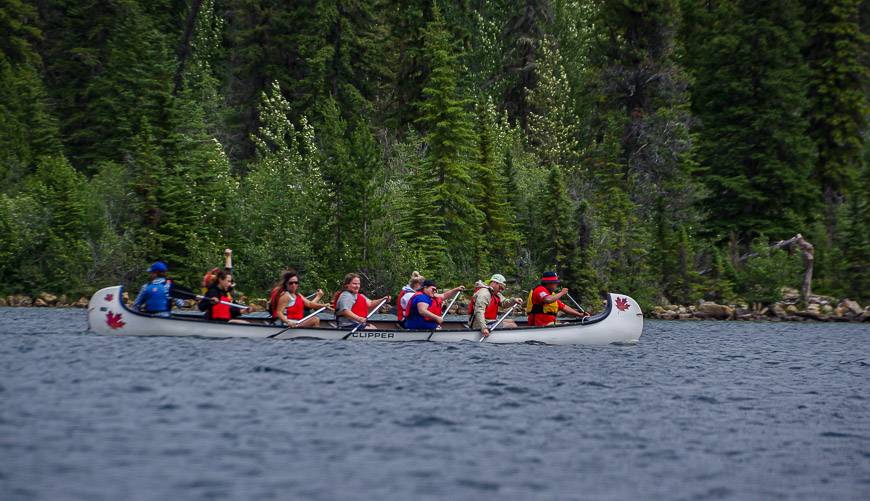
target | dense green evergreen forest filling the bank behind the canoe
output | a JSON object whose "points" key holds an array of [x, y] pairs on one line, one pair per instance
{"points": [[635, 145]]}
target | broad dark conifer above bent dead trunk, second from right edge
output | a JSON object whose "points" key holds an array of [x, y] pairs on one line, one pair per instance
{"points": [[749, 94]]}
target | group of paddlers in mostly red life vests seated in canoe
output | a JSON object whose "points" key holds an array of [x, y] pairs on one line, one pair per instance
{"points": [[419, 305]]}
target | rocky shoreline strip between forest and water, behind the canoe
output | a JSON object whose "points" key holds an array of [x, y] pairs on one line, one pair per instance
{"points": [[818, 308]]}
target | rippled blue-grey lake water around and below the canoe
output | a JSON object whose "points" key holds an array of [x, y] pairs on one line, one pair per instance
{"points": [[697, 410]]}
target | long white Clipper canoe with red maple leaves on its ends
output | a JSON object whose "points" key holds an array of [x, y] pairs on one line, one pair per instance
{"points": [[621, 322]]}
